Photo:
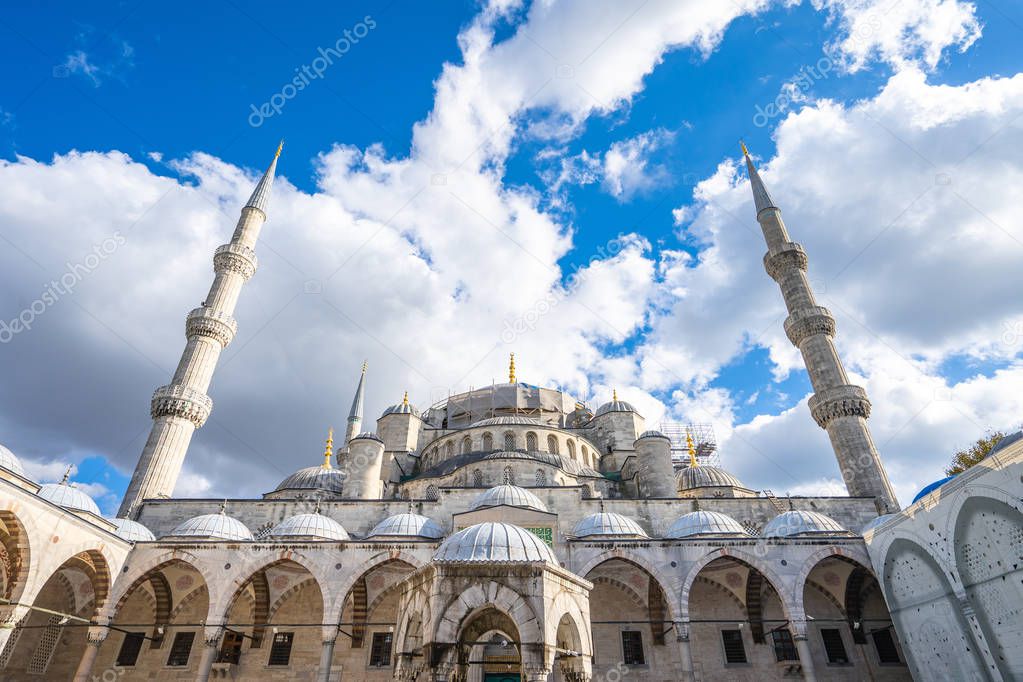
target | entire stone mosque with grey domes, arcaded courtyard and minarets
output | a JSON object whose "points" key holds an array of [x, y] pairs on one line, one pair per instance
{"points": [[512, 534]]}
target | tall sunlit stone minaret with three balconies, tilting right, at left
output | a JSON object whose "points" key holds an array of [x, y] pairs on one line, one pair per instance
{"points": [[183, 406]]}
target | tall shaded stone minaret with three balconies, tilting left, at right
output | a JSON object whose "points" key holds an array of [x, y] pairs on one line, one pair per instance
{"points": [[837, 406]]}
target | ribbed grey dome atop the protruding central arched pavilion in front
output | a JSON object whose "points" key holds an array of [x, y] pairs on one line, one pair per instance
{"points": [[495, 543]]}
